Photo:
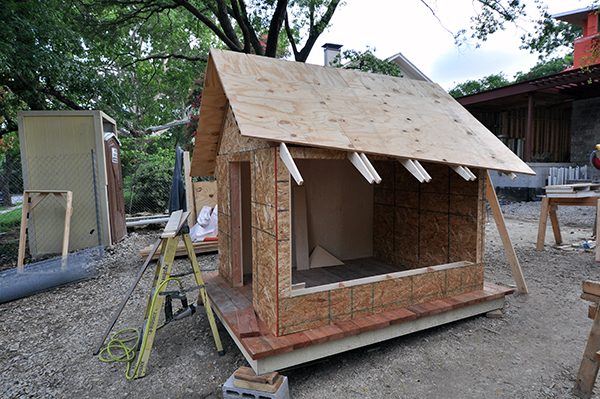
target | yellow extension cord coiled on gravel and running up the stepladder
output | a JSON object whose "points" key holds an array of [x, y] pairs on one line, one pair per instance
{"points": [[118, 349]]}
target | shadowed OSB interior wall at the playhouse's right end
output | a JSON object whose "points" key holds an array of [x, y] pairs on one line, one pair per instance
{"points": [[429, 223]]}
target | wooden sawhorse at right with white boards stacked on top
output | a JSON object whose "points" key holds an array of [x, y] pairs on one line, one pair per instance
{"points": [[549, 207]]}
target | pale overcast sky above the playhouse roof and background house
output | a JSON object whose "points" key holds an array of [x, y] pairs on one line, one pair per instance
{"points": [[407, 26]]}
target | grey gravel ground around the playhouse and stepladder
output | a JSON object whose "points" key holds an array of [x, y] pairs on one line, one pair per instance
{"points": [[46, 341]]}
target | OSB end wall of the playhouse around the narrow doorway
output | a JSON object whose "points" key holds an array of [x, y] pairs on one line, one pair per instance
{"points": [[268, 221]]}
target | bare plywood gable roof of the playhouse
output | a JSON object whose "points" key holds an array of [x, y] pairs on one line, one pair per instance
{"points": [[347, 110]]}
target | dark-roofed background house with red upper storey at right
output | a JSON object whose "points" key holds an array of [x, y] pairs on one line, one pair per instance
{"points": [[549, 121]]}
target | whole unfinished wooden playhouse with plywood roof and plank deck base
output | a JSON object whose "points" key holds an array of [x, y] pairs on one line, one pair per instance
{"points": [[351, 206]]}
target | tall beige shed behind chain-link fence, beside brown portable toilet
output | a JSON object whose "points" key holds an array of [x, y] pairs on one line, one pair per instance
{"points": [[59, 153]]}
